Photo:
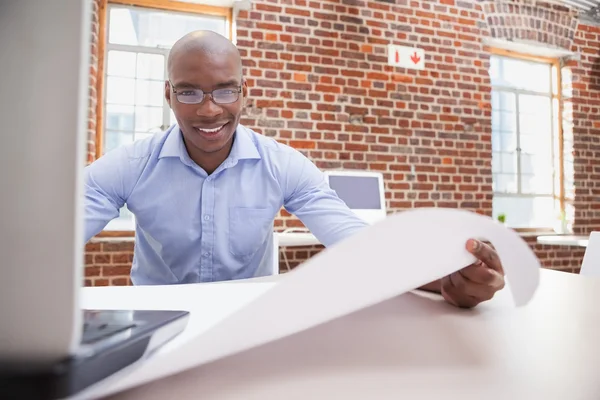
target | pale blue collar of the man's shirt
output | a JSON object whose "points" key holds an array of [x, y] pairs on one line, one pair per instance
{"points": [[243, 146]]}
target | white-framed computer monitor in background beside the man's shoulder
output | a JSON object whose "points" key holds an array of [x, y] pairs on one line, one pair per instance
{"points": [[362, 191]]}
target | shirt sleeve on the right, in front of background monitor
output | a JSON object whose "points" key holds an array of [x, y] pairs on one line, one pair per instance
{"points": [[309, 197]]}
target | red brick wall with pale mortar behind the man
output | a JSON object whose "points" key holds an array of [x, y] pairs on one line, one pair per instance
{"points": [[319, 81]]}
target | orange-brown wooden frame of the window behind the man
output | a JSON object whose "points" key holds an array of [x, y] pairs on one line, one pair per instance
{"points": [[102, 44]]}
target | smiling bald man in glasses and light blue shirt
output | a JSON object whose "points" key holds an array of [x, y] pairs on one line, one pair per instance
{"points": [[205, 193]]}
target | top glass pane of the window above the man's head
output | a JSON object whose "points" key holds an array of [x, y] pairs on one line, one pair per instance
{"points": [[155, 28]]}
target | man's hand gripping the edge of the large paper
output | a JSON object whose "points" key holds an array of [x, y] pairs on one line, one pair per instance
{"points": [[476, 283]]}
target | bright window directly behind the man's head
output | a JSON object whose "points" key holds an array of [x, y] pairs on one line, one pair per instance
{"points": [[137, 44]]}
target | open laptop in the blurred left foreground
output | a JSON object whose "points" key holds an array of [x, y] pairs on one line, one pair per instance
{"points": [[50, 347]]}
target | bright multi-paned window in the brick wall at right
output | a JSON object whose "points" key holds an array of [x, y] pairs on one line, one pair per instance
{"points": [[526, 158]]}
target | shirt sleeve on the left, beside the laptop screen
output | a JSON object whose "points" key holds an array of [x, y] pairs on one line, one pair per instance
{"points": [[106, 188]]}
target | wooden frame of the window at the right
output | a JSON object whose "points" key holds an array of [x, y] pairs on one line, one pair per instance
{"points": [[558, 195]]}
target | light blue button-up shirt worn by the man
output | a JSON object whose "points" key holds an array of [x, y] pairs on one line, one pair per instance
{"points": [[193, 227]]}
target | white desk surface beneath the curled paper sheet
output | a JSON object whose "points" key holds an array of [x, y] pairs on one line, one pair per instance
{"points": [[418, 346]]}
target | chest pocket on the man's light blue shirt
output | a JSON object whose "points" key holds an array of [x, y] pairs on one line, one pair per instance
{"points": [[248, 230]]}
